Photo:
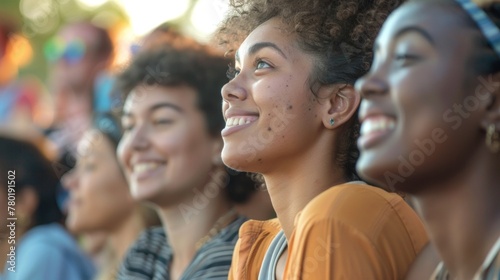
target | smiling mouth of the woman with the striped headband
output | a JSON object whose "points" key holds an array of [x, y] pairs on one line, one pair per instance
{"points": [[374, 128]]}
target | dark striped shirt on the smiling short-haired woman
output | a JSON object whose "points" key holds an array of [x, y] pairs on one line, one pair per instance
{"points": [[150, 256]]}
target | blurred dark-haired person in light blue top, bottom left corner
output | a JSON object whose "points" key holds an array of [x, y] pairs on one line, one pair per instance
{"points": [[43, 248]]}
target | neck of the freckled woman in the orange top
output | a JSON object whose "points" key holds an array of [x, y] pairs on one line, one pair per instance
{"points": [[295, 183]]}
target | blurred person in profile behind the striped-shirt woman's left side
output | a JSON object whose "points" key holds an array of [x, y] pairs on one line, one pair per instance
{"points": [[100, 201]]}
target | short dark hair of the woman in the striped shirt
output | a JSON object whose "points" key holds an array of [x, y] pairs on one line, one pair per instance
{"points": [[202, 69]]}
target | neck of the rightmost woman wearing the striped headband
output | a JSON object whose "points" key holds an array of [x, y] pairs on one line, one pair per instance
{"points": [[462, 215]]}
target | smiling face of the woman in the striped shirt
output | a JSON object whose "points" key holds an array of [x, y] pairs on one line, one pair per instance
{"points": [[166, 149]]}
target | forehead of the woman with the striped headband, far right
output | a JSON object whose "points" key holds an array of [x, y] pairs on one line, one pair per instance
{"points": [[444, 21]]}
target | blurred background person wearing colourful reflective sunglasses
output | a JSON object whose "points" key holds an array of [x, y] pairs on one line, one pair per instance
{"points": [[79, 56]]}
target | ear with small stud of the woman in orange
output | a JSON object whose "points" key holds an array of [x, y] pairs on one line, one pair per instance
{"points": [[341, 105]]}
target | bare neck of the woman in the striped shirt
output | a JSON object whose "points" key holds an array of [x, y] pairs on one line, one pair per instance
{"points": [[187, 223]]}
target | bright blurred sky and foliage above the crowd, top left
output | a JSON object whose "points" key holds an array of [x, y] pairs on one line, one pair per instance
{"points": [[38, 20]]}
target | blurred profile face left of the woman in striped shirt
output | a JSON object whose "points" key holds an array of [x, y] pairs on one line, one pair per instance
{"points": [[99, 196]]}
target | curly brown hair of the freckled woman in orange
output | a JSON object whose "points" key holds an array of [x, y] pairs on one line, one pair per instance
{"points": [[340, 34]]}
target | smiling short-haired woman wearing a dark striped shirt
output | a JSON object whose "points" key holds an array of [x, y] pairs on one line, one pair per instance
{"points": [[170, 152]]}
